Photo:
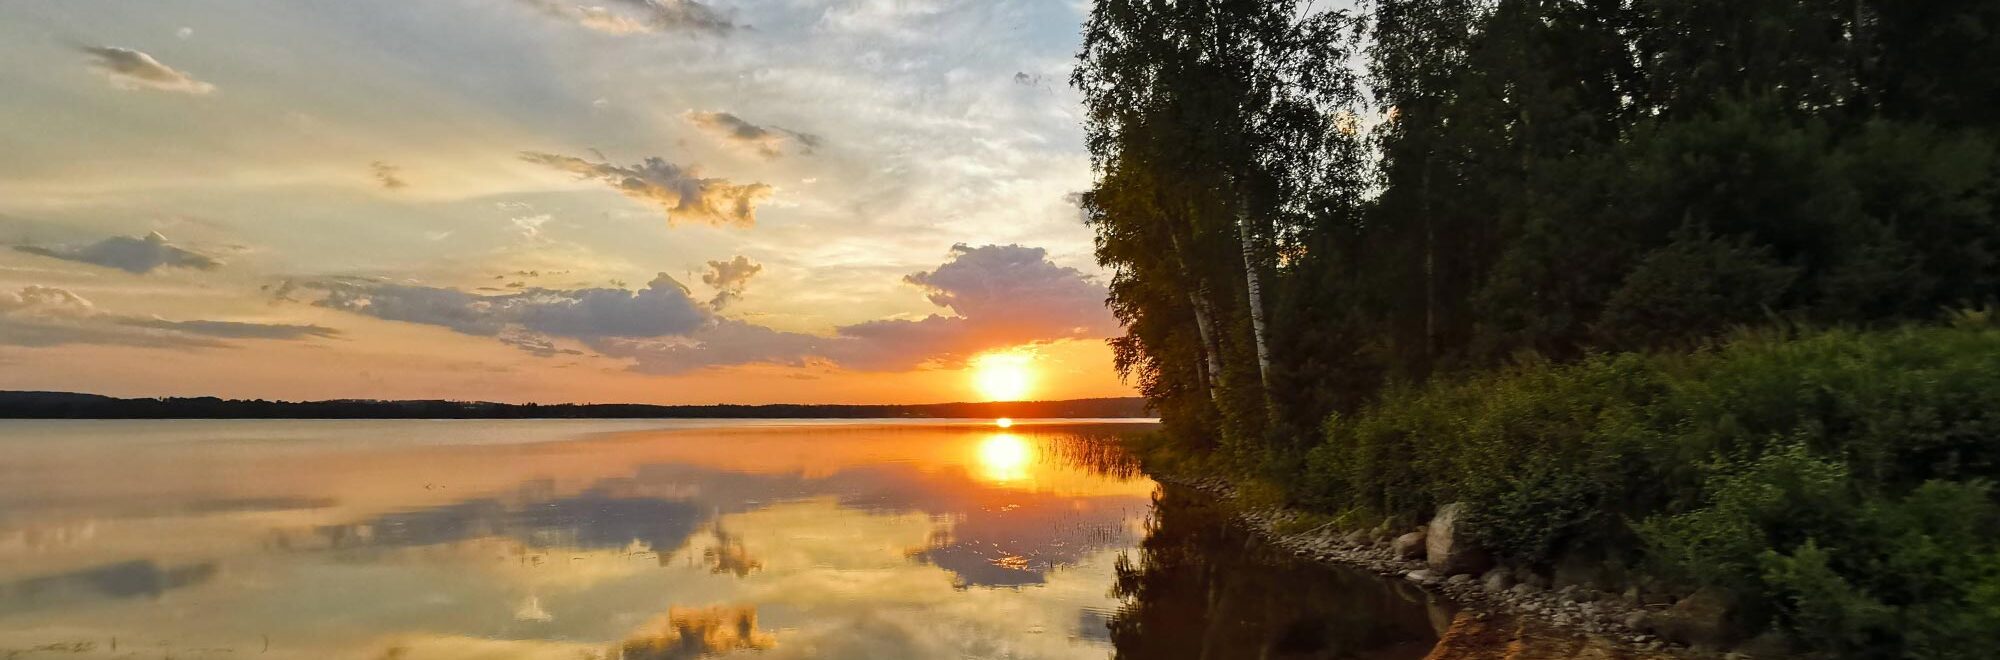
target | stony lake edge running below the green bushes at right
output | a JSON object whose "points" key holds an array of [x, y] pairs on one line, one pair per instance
{"points": [[1513, 623]]}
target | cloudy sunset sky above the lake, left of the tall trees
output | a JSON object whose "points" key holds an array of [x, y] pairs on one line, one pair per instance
{"points": [[549, 201]]}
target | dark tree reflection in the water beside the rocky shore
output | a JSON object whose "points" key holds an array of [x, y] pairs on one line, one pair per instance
{"points": [[1207, 589]]}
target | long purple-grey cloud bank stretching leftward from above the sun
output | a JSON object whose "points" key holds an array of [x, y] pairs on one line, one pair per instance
{"points": [[999, 297]]}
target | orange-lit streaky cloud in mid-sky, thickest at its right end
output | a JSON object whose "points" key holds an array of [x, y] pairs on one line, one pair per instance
{"points": [[681, 193]]}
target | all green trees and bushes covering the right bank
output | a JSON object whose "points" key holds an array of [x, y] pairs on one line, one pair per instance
{"points": [[1555, 261]]}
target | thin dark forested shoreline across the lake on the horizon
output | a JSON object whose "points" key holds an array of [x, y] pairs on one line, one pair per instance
{"points": [[95, 407]]}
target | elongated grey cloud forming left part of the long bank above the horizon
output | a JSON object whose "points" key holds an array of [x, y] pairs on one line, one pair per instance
{"points": [[661, 309]]}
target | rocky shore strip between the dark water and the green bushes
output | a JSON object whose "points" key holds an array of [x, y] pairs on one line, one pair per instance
{"points": [[1505, 613]]}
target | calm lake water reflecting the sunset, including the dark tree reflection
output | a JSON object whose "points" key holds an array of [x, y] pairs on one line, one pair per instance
{"points": [[643, 539]]}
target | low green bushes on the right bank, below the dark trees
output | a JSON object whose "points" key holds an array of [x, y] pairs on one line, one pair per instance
{"points": [[1837, 483]]}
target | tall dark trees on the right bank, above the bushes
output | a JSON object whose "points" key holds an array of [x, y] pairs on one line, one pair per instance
{"points": [[1305, 203]]}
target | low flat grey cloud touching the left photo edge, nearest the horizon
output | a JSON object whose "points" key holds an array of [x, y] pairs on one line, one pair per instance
{"points": [[57, 317]]}
